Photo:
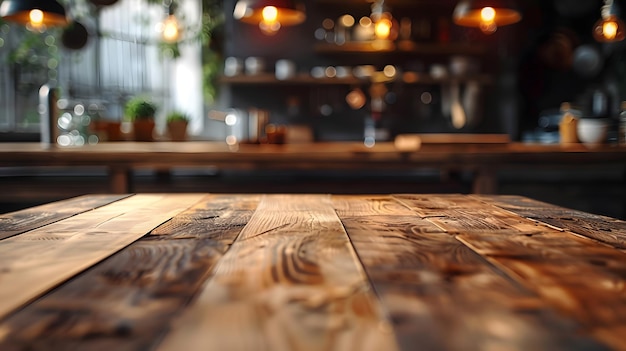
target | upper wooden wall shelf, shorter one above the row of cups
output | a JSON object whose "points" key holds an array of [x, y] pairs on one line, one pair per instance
{"points": [[402, 47]]}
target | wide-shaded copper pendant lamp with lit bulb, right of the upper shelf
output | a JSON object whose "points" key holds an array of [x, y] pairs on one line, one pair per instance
{"points": [[487, 15]]}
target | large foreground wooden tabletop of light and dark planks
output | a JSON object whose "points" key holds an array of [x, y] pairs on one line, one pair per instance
{"points": [[310, 272]]}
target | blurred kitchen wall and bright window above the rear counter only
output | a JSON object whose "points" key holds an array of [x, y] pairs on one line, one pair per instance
{"points": [[322, 76]]}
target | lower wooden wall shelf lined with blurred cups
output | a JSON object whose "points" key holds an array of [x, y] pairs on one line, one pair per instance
{"points": [[305, 79]]}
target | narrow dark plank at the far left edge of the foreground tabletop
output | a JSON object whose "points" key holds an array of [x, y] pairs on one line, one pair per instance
{"points": [[18, 222]]}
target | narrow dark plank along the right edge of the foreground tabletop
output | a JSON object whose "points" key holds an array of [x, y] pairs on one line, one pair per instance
{"points": [[604, 229]]}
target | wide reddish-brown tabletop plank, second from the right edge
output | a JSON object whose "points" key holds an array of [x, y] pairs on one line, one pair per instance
{"points": [[579, 277]]}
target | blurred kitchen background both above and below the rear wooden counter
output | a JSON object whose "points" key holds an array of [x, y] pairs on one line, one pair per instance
{"points": [[332, 77]]}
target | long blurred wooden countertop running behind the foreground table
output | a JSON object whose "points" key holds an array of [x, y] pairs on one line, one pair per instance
{"points": [[333, 155]]}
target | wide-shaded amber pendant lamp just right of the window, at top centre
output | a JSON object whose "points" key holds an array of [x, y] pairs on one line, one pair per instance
{"points": [[270, 15]]}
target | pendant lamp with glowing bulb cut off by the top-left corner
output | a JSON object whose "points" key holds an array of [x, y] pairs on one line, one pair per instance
{"points": [[48, 13]]}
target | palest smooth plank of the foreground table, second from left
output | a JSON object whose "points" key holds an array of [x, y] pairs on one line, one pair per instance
{"points": [[34, 262]]}
